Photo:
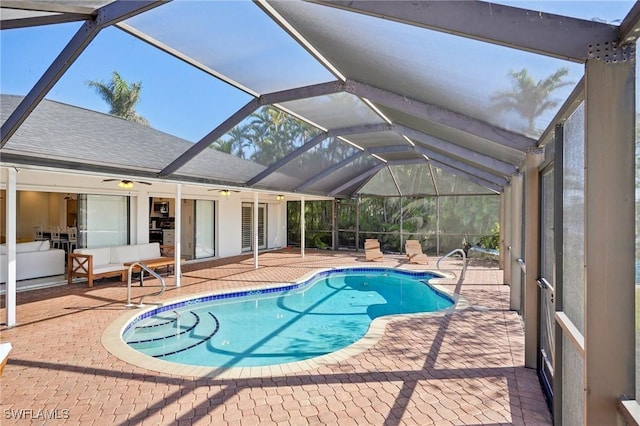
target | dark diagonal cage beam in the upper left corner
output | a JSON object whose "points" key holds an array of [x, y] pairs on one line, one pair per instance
{"points": [[106, 16]]}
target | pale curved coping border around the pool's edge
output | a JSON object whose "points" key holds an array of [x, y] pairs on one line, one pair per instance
{"points": [[112, 336]]}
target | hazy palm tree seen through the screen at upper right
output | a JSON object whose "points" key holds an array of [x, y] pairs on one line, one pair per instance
{"points": [[528, 98]]}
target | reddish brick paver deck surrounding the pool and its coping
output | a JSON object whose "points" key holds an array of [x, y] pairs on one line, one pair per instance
{"points": [[464, 368]]}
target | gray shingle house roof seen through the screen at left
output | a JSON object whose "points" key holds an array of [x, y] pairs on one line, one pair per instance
{"points": [[67, 133]]}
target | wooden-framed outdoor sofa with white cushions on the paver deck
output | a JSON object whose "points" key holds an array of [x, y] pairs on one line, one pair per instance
{"points": [[94, 263]]}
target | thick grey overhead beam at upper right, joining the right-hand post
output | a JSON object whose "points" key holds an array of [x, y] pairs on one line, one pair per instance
{"points": [[529, 30]]}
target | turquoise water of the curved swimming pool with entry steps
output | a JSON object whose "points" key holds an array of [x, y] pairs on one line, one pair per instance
{"points": [[328, 312]]}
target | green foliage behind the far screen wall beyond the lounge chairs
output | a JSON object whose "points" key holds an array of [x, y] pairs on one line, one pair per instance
{"points": [[472, 218]]}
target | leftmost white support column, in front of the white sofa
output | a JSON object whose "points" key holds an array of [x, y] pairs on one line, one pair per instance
{"points": [[10, 265]]}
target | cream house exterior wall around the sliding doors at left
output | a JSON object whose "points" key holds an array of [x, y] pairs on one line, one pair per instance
{"points": [[41, 202]]}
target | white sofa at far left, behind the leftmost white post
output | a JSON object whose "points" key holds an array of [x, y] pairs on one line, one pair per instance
{"points": [[34, 259]]}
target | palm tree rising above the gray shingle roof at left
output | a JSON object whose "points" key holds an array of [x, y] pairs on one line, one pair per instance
{"points": [[121, 96]]}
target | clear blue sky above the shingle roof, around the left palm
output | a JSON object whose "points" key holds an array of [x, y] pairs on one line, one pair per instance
{"points": [[176, 98]]}
